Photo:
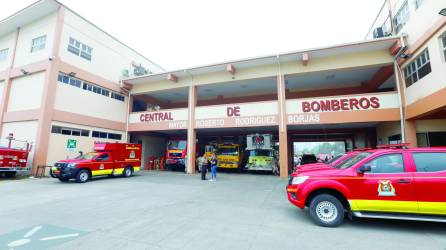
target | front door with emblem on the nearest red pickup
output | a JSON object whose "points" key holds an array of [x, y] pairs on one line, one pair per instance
{"points": [[387, 187]]}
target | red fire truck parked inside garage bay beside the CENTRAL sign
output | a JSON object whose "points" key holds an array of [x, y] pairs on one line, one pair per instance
{"points": [[176, 153]]}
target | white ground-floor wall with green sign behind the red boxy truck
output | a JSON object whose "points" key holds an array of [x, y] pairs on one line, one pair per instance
{"points": [[57, 148]]}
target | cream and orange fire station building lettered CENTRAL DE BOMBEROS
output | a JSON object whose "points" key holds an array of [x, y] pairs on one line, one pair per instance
{"points": [[388, 88]]}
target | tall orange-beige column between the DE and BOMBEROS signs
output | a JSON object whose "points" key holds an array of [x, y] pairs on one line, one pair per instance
{"points": [[283, 134]]}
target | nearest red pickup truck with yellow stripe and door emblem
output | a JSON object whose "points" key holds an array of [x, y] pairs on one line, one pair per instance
{"points": [[391, 183]]}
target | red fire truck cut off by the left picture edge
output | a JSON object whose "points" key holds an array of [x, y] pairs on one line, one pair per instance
{"points": [[14, 156]]}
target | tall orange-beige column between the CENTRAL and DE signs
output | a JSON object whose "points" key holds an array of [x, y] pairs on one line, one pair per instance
{"points": [[191, 133]]}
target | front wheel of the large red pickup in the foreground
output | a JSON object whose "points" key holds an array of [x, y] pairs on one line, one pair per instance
{"points": [[326, 210]]}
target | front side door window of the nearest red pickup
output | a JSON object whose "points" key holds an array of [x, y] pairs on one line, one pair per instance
{"points": [[391, 163]]}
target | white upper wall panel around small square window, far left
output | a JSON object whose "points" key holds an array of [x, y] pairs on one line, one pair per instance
{"points": [[45, 26]]}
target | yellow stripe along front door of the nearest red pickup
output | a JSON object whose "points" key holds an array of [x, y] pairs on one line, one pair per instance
{"points": [[384, 206]]}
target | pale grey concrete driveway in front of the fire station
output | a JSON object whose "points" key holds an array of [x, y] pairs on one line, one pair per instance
{"points": [[166, 210]]}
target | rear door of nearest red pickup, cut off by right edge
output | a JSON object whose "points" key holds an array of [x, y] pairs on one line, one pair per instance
{"points": [[430, 181]]}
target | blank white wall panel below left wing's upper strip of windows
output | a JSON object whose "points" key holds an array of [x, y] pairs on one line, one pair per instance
{"points": [[80, 101]]}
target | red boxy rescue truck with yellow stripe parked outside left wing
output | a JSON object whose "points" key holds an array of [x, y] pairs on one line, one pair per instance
{"points": [[112, 159]]}
